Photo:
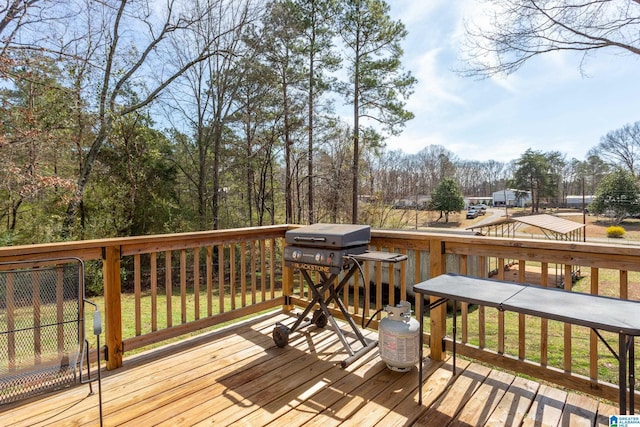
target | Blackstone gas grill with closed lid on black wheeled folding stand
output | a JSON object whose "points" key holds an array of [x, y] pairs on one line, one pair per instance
{"points": [[330, 250]]}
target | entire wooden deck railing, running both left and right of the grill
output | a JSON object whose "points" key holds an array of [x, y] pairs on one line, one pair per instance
{"points": [[217, 276]]}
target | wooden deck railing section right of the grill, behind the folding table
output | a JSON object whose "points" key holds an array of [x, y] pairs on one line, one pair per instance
{"points": [[569, 356]]}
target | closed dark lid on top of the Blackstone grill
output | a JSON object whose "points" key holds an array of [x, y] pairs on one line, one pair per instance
{"points": [[329, 235]]}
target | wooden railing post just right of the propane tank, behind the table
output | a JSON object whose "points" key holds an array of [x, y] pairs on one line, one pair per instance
{"points": [[437, 315]]}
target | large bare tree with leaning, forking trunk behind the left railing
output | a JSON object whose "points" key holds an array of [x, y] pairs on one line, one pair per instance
{"points": [[135, 35]]}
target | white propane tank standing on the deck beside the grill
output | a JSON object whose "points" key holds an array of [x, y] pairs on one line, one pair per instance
{"points": [[399, 338]]}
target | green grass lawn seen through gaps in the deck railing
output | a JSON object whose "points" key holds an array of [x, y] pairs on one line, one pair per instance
{"points": [[580, 342]]}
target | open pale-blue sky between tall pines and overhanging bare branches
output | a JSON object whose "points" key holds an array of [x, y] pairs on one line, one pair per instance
{"points": [[547, 105]]}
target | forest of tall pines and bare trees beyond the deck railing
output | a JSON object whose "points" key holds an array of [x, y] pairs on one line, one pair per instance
{"points": [[141, 117]]}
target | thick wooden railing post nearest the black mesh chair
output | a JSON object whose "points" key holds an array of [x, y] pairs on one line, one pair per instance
{"points": [[112, 306]]}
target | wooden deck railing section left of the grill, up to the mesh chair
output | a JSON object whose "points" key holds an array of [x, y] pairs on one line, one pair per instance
{"points": [[179, 283]]}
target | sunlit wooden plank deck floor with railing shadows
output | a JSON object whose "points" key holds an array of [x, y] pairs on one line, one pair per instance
{"points": [[238, 377]]}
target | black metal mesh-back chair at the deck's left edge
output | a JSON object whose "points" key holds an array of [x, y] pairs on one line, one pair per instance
{"points": [[42, 328]]}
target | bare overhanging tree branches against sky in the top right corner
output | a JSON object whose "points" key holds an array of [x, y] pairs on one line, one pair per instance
{"points": [[522, 29]]}
